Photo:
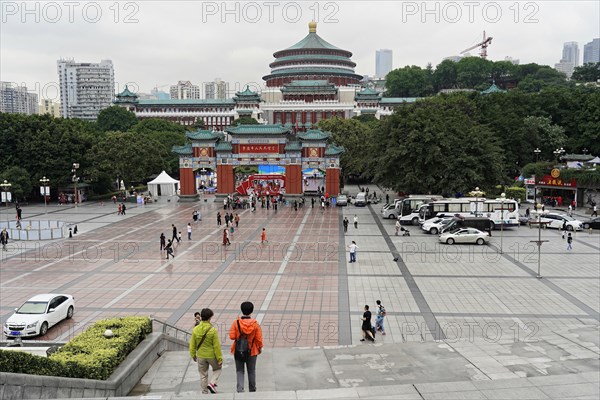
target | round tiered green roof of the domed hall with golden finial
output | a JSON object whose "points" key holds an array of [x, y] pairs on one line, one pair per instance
{"points": [[313, 59]]}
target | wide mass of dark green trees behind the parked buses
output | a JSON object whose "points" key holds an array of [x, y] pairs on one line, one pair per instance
{"points": [[450, 144]]}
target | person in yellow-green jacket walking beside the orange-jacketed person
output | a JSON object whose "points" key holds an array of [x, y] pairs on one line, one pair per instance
{"points": [[205, 349]]}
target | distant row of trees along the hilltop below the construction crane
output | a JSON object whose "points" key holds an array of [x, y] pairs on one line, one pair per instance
{"points": [[478, 74]]}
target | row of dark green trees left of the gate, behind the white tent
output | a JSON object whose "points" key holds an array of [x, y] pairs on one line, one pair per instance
{"points": [[117, 145]]}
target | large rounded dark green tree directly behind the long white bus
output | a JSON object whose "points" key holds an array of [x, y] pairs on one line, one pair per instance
{"points": [[436, 146]]}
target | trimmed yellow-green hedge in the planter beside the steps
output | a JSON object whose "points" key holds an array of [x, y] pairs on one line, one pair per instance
{"points": [[89, 355]]}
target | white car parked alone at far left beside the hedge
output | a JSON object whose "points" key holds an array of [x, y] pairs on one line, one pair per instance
{"points": [[38, 314]]}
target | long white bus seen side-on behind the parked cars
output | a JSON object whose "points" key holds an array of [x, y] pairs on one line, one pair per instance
{"points": [[500, 212]]}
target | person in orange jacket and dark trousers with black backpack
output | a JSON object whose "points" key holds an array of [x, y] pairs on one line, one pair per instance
{"points": [[247, 345]]}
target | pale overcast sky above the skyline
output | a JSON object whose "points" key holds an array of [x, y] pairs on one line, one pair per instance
{"points": [[157, 43]]}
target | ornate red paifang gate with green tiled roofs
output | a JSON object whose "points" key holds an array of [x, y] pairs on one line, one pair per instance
{"points": [[267, 158]]}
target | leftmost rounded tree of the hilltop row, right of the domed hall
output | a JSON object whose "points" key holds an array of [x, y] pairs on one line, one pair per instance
{"points": [[410, 81]]}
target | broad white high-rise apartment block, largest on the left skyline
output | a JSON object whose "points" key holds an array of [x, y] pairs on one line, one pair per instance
{"points": [[85, 88]]}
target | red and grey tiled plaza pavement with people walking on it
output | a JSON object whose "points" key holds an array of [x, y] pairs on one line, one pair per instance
{"points": [[463, 321]]}
